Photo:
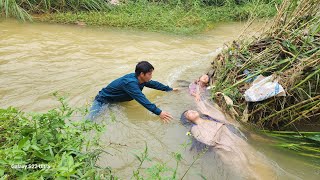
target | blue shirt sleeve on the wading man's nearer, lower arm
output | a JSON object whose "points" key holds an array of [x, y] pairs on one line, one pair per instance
{"points": [[133, 90]]}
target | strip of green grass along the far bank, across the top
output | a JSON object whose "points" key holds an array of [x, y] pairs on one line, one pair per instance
{"points": [[178, 16]]}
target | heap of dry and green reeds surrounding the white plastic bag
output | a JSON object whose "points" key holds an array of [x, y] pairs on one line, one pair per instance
{"points": [[289, 50]]}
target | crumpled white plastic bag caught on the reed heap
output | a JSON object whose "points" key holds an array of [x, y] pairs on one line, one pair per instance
{"points": [[263, 88]]}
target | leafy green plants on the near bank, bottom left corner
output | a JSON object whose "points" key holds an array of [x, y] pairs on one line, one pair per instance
{"points": [[49, 145]]}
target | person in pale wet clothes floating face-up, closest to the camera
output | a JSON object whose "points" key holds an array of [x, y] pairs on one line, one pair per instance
{"points": [[228, 143]]}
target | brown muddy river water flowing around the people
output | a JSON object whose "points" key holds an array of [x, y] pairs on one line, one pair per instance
{"points": [[39, 59]]}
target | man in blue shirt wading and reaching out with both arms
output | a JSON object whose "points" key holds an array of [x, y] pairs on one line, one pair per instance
{"points": [[129, 87]]}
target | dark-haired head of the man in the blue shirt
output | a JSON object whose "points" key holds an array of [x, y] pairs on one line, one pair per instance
{"points": [[144, 71]]}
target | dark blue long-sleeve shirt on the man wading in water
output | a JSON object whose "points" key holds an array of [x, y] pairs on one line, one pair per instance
{"points": [[127, 88]]}
